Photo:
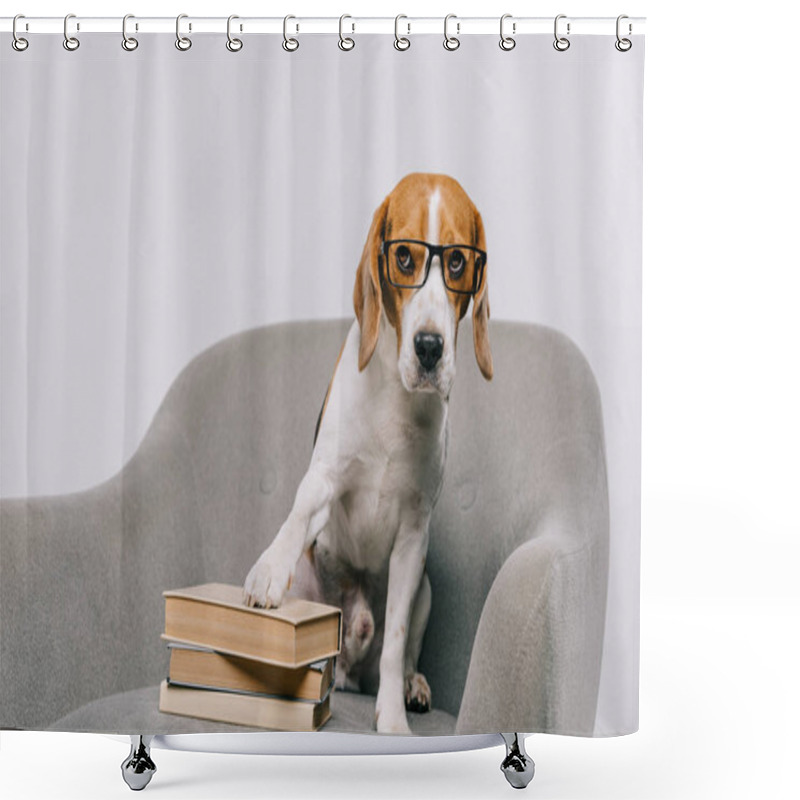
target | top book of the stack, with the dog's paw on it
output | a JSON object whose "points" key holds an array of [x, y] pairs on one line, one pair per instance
{"points": [[213, 615]]}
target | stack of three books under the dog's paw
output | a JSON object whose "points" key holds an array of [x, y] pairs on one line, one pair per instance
{"points": [[266, 668]]}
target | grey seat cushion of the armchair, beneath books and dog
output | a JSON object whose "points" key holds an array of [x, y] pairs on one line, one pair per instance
{"points": [[136, 711]]}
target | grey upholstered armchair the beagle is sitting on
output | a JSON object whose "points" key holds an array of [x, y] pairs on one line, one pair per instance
{"points": [[517, 562]]}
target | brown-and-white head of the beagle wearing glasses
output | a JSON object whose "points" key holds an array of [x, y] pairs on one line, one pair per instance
{"points": [[423, 261]]}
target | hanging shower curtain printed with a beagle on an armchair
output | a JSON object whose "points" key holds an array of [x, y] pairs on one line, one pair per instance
{"points": [[208, 252]]}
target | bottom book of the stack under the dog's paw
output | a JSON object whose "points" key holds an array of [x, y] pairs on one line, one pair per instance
{"points": [[240, 708]]}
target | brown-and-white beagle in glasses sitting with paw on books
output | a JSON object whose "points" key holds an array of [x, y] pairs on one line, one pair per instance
{"points": [[359, 523]]}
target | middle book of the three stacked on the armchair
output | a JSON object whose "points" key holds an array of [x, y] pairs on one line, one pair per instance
{"points": [[202, 667]]}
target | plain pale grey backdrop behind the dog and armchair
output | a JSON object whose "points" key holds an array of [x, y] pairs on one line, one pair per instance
{"points": [[156, 201]]}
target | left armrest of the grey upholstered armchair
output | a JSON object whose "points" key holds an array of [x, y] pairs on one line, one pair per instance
{"points": [[60, 561]]}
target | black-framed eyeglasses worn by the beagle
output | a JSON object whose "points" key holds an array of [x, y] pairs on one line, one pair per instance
{"points": [[408, 262]]}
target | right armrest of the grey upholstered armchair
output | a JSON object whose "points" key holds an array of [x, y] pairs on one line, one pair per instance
{"points": [[535, 663]]}
